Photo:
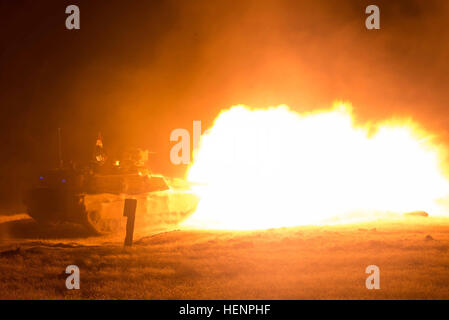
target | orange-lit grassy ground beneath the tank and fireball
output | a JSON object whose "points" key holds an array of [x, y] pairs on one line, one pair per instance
{"points": [[309, 262]]}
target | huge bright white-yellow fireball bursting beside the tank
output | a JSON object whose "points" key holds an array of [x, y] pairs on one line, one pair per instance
{"points": [[267, 168]]}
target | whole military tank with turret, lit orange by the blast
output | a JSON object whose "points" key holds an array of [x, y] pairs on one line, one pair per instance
{"points": [[93, 195]]}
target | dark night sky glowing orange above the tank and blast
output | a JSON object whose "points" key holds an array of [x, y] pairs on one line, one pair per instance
{"points": [[138, 69]]}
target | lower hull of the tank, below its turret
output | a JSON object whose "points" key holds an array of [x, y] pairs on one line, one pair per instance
{"points": [[103, 212]]}
